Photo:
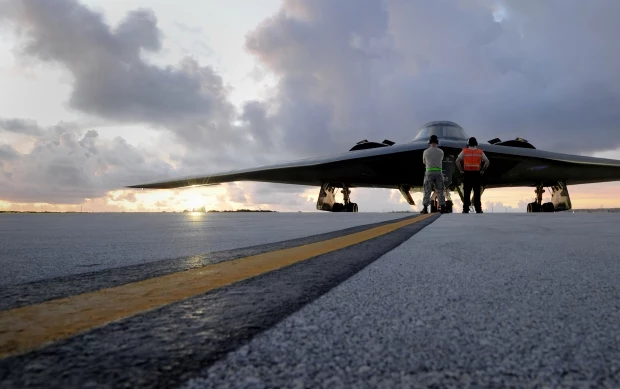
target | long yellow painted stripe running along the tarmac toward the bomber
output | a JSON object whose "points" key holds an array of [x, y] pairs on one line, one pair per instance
{"points": [[31, 327]]}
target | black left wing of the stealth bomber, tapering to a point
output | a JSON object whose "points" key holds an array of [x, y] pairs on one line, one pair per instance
{"points": [[382, 167]]}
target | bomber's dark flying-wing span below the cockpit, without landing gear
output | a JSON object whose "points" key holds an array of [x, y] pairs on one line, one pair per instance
{"points": [[396, 165]]}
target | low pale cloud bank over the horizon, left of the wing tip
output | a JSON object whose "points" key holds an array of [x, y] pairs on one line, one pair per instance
{"points": [[66, 166]]}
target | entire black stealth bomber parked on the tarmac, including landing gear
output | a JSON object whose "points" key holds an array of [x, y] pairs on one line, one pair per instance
{"points": [[513, 163]]}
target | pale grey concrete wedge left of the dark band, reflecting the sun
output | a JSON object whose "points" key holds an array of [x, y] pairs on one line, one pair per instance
{"points": [[43, 246]]}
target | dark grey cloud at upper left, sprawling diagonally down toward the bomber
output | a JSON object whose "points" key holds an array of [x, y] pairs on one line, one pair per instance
{"points": [[112, 80]]}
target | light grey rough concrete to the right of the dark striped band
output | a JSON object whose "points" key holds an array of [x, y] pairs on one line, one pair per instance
{"points": [[492, 300]]}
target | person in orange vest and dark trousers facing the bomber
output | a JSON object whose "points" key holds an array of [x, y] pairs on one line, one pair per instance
{"points": [[469, 163]]}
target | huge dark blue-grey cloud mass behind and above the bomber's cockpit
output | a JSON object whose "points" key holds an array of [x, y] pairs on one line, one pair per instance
{"points": [[541, 70]]}
